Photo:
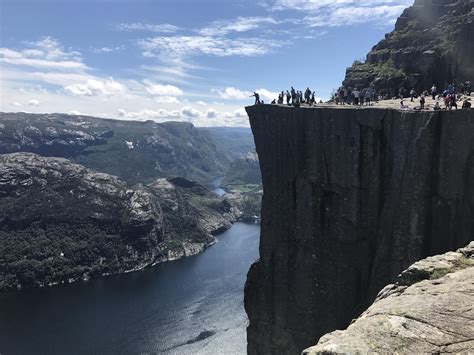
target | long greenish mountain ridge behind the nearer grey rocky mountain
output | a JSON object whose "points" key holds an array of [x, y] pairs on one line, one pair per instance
{"points": [[134, 151]]}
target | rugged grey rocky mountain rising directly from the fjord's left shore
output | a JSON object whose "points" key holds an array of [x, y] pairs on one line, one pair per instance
{"points": [[61, 222]]}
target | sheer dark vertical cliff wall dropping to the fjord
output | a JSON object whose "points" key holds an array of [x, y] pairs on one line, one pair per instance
{"points": [[351, 198]]}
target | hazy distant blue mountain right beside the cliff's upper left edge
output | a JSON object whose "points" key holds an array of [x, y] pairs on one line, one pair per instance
{"points": [[234, 142]]}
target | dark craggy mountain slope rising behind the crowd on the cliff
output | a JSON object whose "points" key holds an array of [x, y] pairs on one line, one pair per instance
{"points": [[432, 43]]}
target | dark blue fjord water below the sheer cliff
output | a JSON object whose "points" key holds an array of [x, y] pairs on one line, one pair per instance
{"points": [[189, 306]]}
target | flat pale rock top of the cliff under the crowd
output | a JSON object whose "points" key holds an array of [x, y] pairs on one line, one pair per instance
{"points": [[382, 104]]}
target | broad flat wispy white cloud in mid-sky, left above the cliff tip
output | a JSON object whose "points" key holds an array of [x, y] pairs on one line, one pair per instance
{"points": [[185, 46]]}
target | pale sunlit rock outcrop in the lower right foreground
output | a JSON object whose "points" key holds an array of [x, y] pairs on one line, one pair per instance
{"points": [[427, 310]]}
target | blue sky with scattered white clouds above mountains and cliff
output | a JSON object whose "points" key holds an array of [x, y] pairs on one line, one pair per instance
{"points": [[183, 60]]}
